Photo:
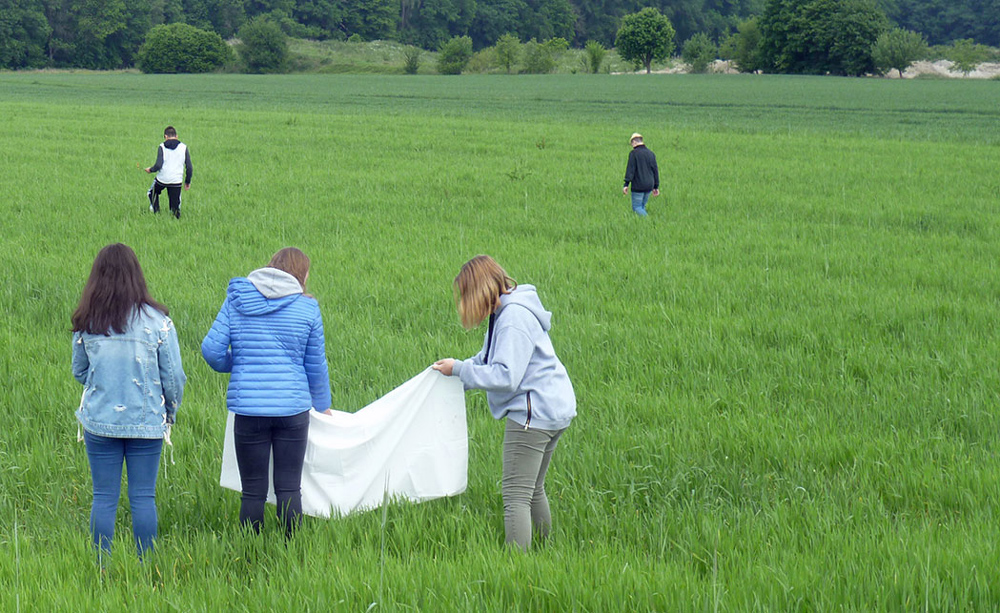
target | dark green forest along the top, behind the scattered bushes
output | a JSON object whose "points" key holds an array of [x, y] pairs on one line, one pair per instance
{"points": [[108, 34]]}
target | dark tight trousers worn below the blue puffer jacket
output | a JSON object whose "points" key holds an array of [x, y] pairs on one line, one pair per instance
{"points": [[256, 439]]}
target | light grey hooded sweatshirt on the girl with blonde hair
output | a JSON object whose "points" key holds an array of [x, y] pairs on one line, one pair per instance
{"points": [[521, 369]]}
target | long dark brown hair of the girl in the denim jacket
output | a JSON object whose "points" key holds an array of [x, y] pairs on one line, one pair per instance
{"points": [[114, 291]]}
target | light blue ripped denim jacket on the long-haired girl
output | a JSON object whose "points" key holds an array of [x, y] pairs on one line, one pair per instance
{"points": [[132, 382]]}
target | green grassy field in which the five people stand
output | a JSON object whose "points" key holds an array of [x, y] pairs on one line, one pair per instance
{"points": [[787, 376]]}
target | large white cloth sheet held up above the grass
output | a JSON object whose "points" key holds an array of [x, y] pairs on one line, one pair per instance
{"points": [[416, 435]]}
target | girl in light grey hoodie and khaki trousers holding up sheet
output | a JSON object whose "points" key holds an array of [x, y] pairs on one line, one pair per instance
{"points": [[524, 381]]}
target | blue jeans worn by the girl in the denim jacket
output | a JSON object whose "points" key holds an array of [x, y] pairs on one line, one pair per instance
{"points": [[142, 461]]}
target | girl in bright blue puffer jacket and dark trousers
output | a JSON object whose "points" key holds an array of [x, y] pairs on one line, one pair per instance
{"points": [[269, 335]]}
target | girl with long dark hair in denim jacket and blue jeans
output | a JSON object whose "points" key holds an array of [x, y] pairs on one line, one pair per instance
{"points": [[126, 355]]}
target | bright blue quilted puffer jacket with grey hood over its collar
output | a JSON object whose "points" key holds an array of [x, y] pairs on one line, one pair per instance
{"points": [[270, 337]]}
